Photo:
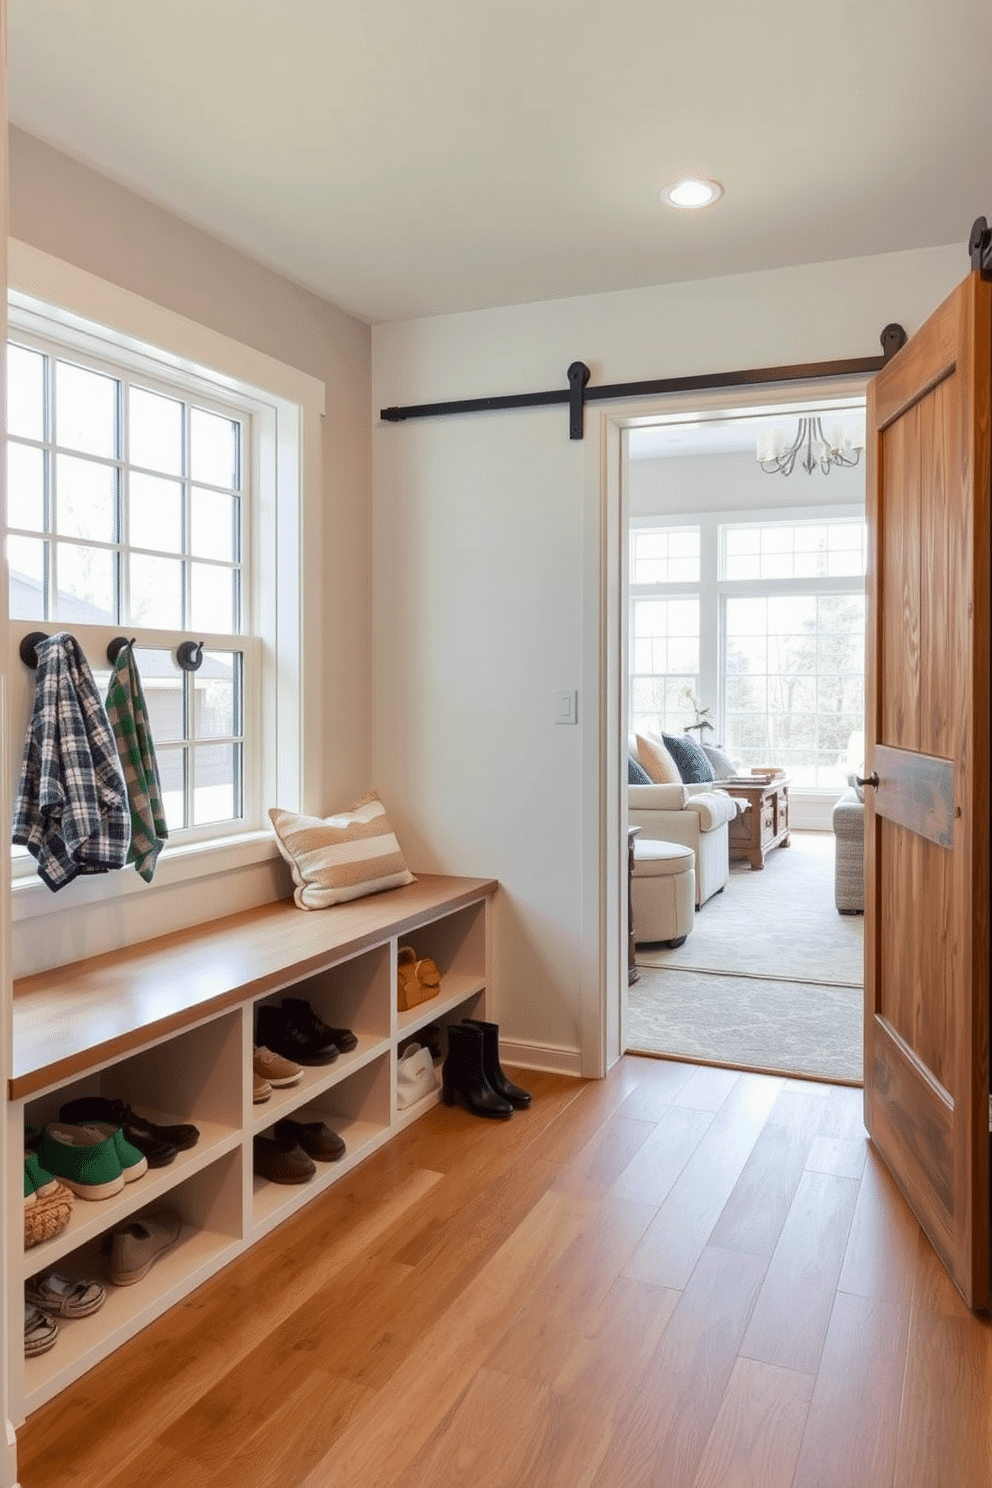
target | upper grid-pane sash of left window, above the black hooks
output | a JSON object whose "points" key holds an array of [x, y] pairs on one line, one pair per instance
{"points": [[124, 504]]}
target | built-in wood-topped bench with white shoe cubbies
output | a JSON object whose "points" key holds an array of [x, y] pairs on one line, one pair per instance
{"points": [[170, 1029]]}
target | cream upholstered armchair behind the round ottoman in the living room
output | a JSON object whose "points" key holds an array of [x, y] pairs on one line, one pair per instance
{"points": [[695, 816]]}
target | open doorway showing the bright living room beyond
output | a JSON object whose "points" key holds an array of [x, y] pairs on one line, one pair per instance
{"points": [[743, 651]]}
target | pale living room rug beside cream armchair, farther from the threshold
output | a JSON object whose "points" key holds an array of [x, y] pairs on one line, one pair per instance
{"points": [[780, 922]]}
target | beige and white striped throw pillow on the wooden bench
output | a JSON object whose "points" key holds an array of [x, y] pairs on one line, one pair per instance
{"points": [[341, 858]]}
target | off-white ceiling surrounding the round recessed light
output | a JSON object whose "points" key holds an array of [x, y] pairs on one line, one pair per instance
{"points": [[417, 157]]}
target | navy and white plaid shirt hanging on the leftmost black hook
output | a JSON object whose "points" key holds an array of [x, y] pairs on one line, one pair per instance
{"points": [[72, 810]]}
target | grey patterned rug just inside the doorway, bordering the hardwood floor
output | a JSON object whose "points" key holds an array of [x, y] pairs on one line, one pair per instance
{"points": [[750, 1023]]}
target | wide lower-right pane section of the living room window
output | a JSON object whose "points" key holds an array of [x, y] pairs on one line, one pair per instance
{"points": [[795, 682]]}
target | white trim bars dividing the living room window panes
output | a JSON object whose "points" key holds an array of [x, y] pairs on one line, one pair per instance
{"points": [[713, 591]]}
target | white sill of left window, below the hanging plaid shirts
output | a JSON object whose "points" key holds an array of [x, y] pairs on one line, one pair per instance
{"points": [[181, 865]]}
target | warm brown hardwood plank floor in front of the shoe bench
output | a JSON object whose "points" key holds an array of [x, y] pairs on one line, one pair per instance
{"points": [[673, 1277]]}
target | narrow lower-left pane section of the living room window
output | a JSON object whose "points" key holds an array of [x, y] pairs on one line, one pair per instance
{"points": [[666, 655]]}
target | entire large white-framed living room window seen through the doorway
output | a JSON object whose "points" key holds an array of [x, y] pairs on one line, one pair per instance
{"points": [[770, 638]]}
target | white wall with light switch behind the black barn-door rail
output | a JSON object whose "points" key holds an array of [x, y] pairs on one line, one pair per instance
{"points": [[487, 544]]}
